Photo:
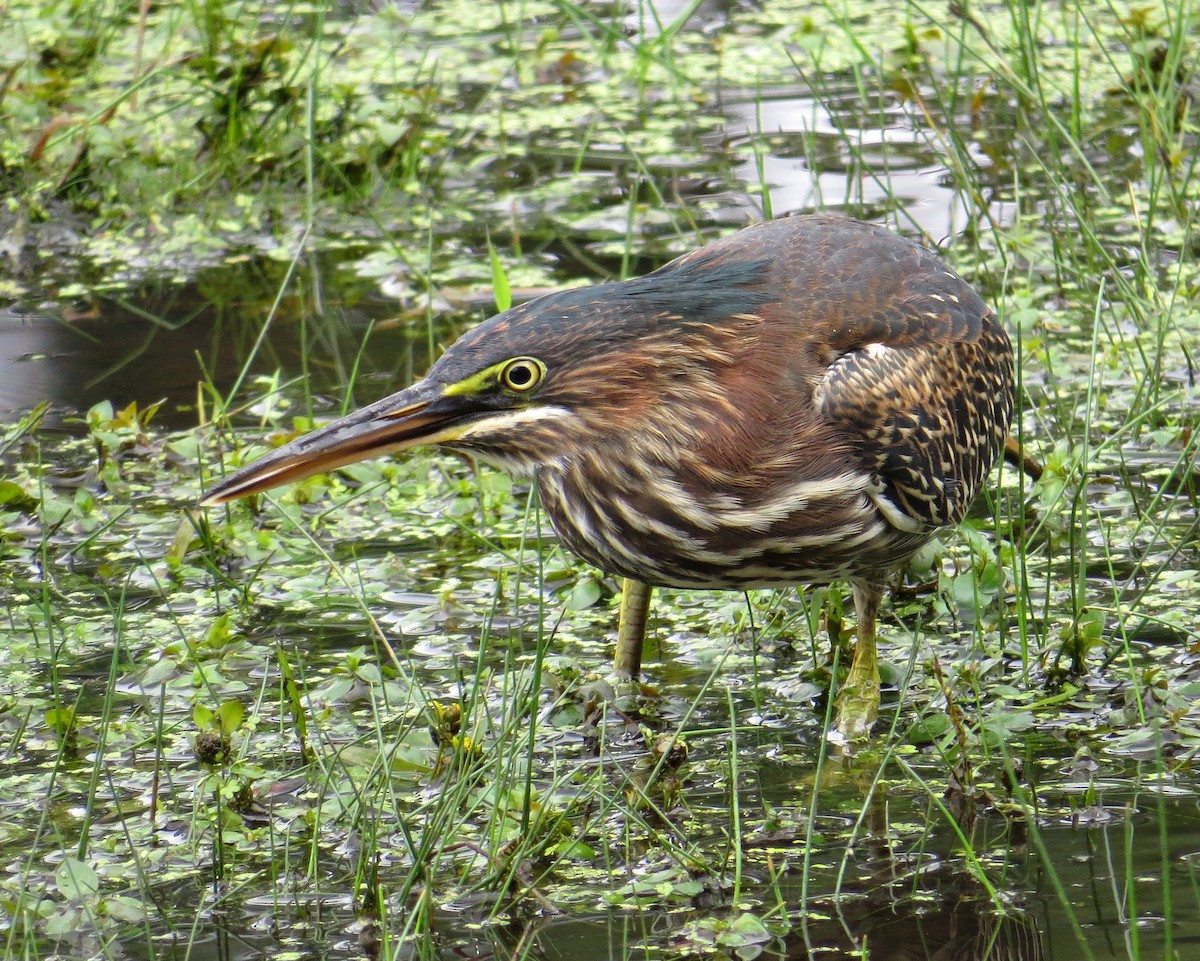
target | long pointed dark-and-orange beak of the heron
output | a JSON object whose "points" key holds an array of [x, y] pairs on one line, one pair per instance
{"points": [[422, 415]]}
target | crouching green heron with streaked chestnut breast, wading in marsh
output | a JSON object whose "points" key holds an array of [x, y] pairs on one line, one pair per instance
{"points": [[807, 400]]}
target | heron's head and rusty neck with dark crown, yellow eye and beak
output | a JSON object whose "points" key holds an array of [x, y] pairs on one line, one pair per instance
{"points": [[536, 385]]}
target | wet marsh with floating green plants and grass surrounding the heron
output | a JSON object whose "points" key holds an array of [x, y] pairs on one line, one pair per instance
{"points": [[369, 717]]}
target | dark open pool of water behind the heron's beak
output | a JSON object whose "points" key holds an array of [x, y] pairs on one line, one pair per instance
{"points": [[163, 343]]}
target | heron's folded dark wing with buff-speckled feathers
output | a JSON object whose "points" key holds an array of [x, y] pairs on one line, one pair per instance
{"points": [[919, 381]]}
